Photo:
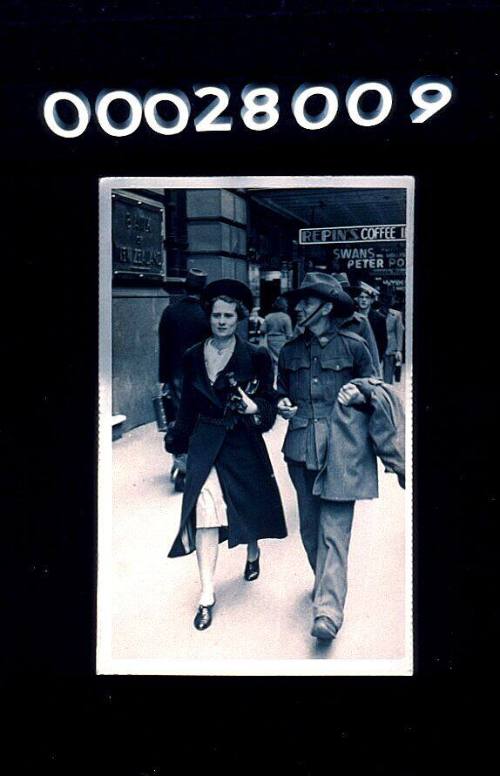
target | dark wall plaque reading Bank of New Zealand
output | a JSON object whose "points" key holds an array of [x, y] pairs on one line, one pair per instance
{"points": [[137, 238]]}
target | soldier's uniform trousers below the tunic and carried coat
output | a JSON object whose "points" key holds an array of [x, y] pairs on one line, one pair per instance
{"points": [[325, 529]]}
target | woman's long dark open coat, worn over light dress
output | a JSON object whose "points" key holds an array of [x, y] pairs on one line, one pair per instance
{"points": [[232, 443]]}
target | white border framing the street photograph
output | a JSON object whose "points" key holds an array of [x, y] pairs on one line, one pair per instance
{"points": [[105, 664]]}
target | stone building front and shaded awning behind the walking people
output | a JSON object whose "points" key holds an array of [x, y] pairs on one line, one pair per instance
{"points": [[251, 235]]}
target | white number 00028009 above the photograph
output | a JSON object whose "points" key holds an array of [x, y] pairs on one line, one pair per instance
{"points": [[260, 108]]}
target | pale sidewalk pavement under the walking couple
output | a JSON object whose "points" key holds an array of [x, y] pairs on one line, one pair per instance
{"points": [[154, 598]]}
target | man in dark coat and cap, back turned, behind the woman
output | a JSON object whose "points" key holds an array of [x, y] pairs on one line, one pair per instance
{"points": [[182, 324]]}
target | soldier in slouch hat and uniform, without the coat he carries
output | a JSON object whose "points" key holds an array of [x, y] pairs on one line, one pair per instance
{"points": [[314, 372]]}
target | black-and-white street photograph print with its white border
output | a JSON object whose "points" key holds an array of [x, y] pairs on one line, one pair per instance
{"points": [[255, 453]]}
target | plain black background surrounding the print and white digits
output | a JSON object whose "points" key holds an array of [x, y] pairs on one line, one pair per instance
{"points": [[63, 719]]}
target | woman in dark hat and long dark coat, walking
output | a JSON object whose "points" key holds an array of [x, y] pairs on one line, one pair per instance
{"points": [[227, 403]]}
